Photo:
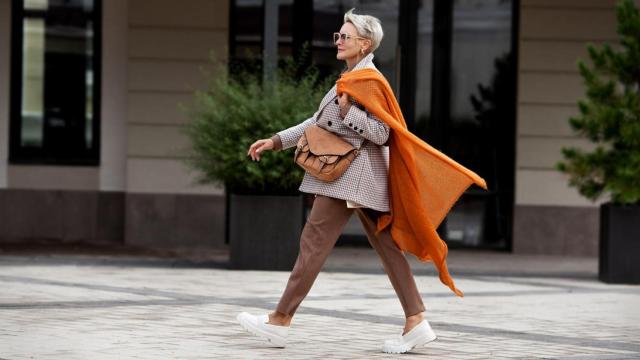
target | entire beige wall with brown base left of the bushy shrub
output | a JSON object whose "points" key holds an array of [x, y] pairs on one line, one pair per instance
{"points": [[142, 193]]}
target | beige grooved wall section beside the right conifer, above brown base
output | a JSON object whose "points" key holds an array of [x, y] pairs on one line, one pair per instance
{"points": [[553, 35]]}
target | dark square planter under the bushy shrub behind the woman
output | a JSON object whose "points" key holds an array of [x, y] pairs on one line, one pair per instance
{"points": [[264, 231]]}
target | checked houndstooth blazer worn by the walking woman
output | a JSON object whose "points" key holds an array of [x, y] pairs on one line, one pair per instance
{"points": [[365, 181]]}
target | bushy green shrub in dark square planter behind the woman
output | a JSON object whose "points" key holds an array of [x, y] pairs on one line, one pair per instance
{"points": [[265, 211]]}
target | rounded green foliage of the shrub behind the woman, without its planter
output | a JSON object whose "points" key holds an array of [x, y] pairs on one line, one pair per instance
{"points": [[236, 110]]}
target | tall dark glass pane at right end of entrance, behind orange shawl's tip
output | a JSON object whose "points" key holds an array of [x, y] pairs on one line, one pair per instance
{"points": [[481, 127]]}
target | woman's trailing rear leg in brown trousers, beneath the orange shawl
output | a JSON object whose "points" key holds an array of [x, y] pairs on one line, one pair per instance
{"points": [[396, 266]]}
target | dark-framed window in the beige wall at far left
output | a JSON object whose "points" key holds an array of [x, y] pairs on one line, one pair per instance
{"points": [[55, 82]]}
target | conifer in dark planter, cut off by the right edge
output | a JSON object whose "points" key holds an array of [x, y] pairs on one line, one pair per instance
{"points": [[610, 118]]}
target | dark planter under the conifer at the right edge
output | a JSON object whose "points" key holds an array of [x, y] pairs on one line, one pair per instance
{"points": [[619, 244]]}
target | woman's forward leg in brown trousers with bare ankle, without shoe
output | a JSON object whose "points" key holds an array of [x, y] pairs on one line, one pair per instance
{"points": [[325, 224]]}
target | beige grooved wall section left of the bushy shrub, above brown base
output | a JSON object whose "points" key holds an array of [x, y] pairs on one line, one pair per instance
{"points": [[169, 45]]}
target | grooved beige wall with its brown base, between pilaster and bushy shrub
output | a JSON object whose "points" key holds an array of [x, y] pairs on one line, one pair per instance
{"points": [[169, 44]]}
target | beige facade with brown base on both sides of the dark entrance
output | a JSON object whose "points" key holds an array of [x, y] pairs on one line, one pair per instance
{"points": [[151, 52]]}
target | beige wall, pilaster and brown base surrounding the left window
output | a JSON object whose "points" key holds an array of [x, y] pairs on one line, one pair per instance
{"points": [[73, 203]]}
